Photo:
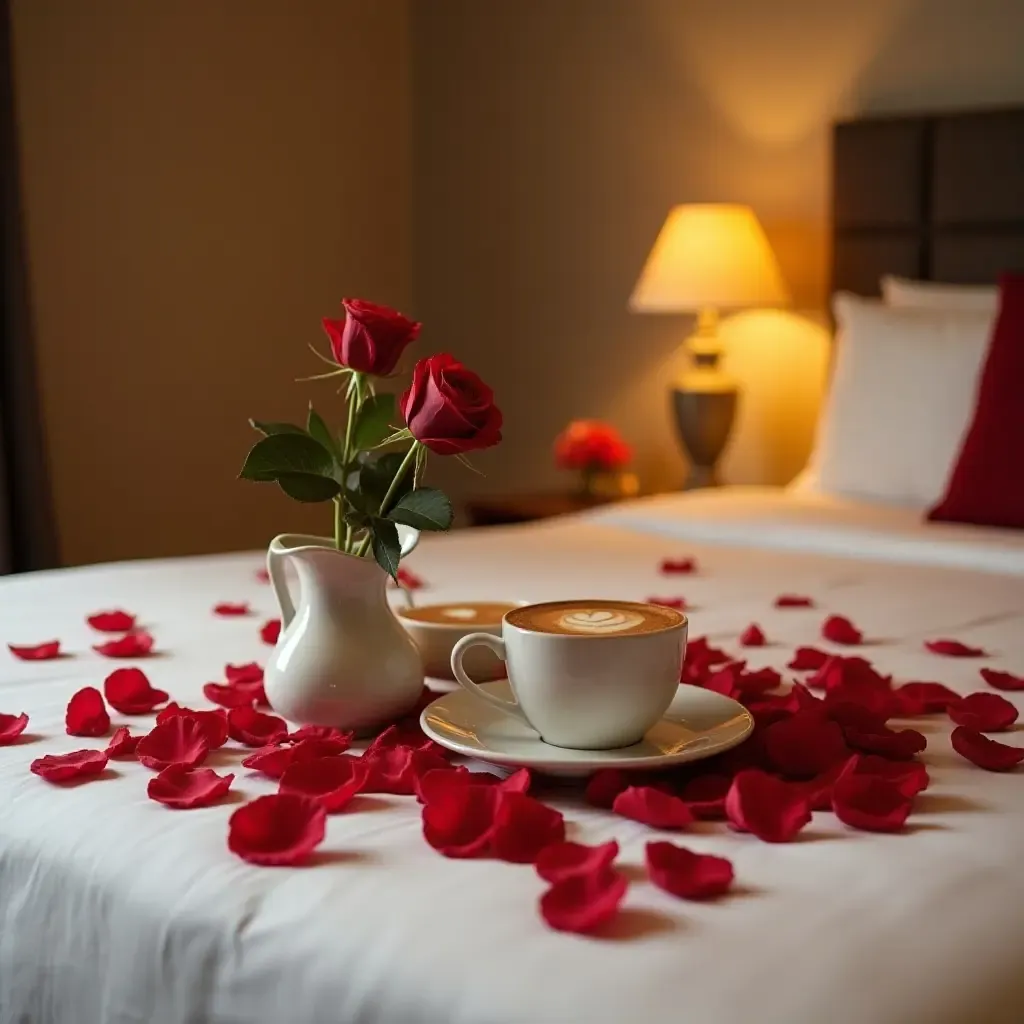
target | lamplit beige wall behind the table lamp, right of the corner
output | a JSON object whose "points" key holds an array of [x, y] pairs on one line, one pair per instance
{"points": [[551, 138]]}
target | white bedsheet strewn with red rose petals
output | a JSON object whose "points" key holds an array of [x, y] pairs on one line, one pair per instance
{"points": [[116, 911]]}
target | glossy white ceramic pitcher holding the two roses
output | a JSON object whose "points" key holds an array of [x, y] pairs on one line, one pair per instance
{"points": [[343, 658]]}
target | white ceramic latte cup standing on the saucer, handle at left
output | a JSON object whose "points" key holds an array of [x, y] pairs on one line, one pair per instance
{"points": [[584, 691]]}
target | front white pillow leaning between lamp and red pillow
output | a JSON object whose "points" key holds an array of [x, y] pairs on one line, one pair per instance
{"points": [[902, 399]]}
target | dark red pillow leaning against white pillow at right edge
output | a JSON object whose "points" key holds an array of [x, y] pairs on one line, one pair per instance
{"points": [[988, 485]]}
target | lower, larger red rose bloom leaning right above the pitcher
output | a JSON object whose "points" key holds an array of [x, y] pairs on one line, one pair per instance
{"points": [[449, 409]]}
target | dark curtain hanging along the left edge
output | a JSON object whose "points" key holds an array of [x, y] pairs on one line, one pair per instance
{"points": [[27, 534]]}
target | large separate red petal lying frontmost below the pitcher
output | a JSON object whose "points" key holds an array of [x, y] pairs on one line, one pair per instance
{"points": [[282, 830]]}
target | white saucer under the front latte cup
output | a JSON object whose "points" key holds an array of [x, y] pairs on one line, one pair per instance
{"points": [[698, 724]]}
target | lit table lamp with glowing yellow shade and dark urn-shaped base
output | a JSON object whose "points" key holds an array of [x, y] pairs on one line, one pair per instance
{"points": [[708, 257]]}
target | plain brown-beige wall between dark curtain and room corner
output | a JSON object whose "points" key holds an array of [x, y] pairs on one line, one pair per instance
{"points": [[204, 180]]}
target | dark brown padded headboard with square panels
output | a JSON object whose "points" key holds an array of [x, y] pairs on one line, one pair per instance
{"points": [[930, 197]]}
